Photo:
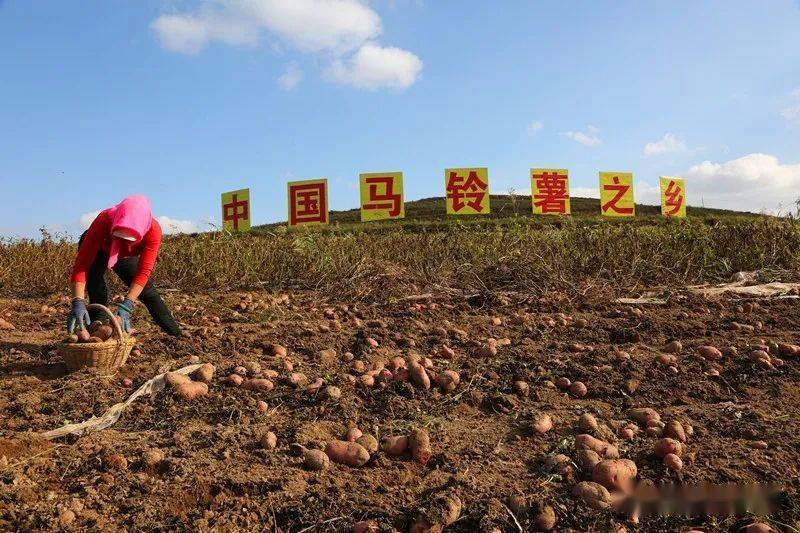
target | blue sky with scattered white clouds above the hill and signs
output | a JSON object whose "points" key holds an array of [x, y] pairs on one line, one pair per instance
{"points": [[182, 100]]}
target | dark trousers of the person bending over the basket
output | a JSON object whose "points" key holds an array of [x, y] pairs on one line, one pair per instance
{"points": [[126, 270]]}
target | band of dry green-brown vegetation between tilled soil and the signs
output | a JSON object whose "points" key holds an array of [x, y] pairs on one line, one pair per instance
{"points": [[391, 259]]}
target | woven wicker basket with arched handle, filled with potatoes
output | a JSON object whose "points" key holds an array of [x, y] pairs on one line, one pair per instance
{"points": [[107, 354]]}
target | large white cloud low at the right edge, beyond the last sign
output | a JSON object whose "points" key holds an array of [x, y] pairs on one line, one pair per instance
{"points": [[755, 182]]}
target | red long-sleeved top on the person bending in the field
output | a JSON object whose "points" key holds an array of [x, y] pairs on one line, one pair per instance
{"points": [[98, 238]]}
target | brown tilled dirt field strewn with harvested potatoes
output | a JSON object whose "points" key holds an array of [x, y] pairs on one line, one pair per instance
{"points": [[216, 475]]}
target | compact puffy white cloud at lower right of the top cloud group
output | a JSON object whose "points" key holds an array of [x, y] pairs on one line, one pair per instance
{"points": [[376, 67]]}
